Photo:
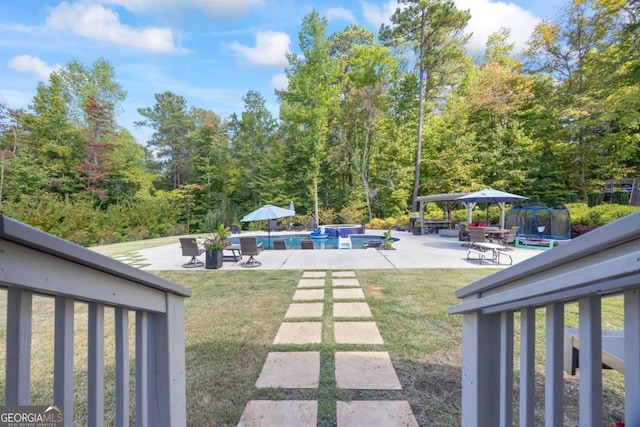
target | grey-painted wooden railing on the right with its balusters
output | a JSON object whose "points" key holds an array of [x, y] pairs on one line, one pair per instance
{"points": [[601, 263]]}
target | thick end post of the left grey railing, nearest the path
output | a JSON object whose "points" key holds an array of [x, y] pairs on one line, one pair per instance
{"points": [[167, 334]]}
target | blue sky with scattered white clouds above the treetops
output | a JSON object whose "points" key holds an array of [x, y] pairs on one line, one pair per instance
{"points": [[211, 52]]}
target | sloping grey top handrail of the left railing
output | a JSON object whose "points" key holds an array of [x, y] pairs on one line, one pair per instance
{"points": [[25, 235]]}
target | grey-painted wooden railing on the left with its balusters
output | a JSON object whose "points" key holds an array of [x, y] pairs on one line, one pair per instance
{"points": [[36, 263]]}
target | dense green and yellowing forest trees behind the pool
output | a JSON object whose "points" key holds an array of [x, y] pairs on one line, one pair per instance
{"points": [[366, 125]]}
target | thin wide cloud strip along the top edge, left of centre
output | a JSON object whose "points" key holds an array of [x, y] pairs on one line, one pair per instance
{"points": [[215, 8]]}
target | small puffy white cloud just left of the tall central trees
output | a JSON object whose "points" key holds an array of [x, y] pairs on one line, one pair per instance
{"points": [[270, 49]]}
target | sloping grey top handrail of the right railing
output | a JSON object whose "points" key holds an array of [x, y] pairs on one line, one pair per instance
{"points": [[617, 233]]}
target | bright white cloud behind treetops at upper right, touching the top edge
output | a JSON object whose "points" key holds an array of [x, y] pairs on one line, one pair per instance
{"points": [[487, 17]]}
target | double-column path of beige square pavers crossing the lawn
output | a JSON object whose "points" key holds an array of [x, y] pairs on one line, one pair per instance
{"points": [[353, 370]]}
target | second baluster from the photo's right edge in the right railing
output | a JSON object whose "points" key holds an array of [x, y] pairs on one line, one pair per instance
{"points": [[590, 336]]}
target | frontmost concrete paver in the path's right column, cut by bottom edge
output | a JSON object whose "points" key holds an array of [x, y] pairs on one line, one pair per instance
{"points": [[375, 413]]}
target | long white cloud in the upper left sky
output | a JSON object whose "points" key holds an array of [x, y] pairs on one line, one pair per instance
{"points": [[95, 22]]}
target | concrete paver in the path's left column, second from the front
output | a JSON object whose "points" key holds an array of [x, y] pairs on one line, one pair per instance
{"points": [[297, 369]]}
